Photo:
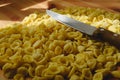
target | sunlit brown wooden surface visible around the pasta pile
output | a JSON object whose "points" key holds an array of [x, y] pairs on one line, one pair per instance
{"points": [[15, 10]]}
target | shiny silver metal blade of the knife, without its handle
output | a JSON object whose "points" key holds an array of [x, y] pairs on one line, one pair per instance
{"points": [[80, 26]]}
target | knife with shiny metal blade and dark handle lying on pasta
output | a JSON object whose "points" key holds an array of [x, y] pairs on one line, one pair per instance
{"points": [[101, 33]]}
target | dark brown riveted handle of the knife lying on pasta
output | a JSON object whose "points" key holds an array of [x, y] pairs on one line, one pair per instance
{"points": [[108, 36]]}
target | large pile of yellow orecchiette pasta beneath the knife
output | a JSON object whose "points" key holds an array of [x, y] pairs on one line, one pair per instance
{"points": [[41, 48]]}
